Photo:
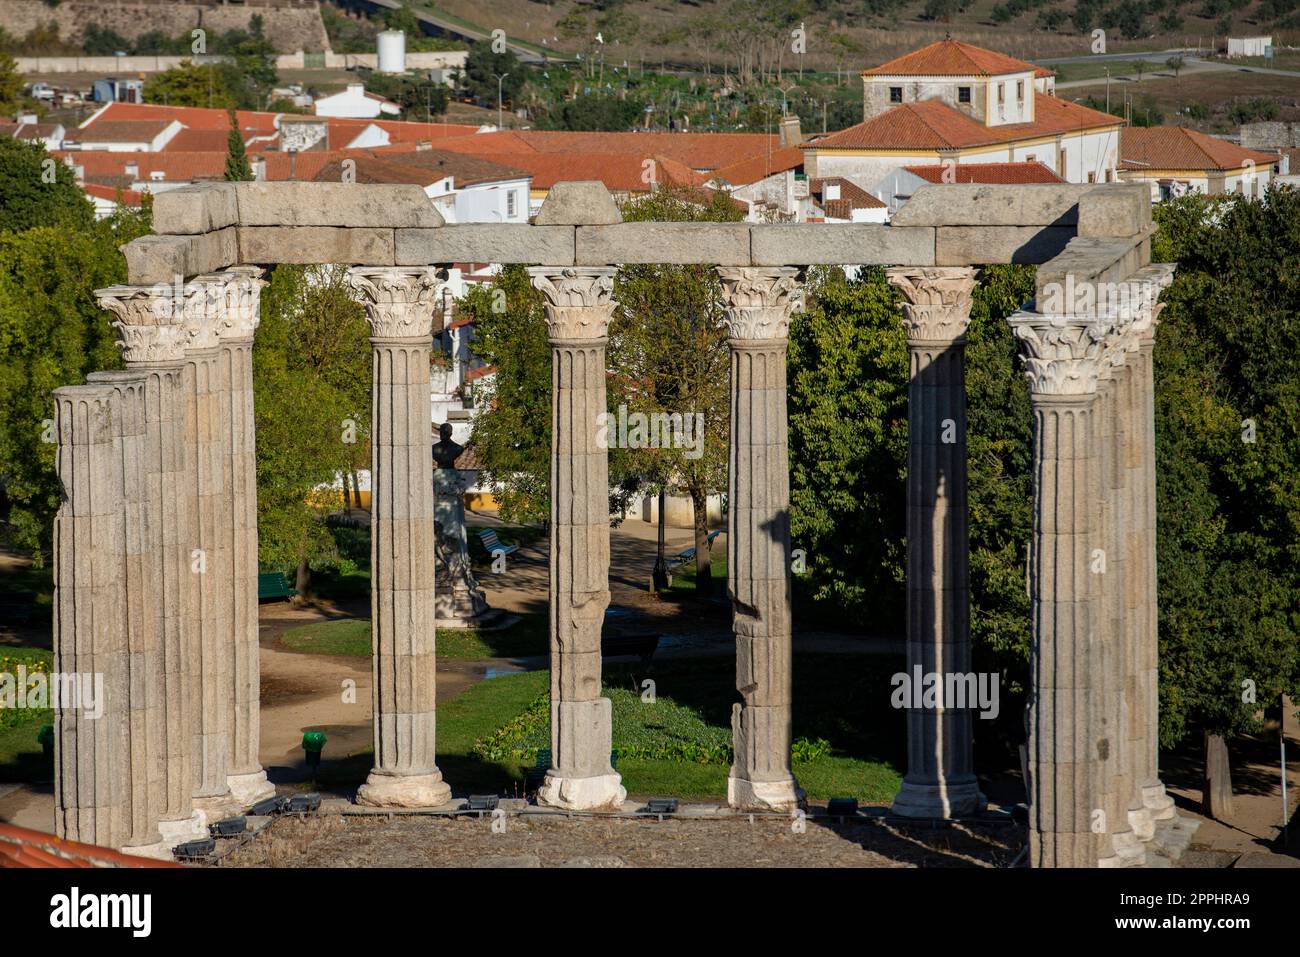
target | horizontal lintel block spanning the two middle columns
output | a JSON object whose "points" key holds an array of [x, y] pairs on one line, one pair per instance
{"points": [[721, 244]]}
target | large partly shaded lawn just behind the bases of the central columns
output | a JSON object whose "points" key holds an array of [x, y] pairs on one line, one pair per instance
{"points": [[855, 741]]}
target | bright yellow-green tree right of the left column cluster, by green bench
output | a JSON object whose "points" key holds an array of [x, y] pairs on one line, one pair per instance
{"points": [[313, 393]]}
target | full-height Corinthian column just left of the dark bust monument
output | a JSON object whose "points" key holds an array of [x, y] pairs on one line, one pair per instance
{"points": [[400, 305]]}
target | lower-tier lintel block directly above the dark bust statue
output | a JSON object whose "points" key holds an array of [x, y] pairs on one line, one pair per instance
{"points": [[486, 243]]}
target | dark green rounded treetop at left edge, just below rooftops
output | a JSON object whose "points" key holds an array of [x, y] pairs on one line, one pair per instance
{"points": [[38, 190]]}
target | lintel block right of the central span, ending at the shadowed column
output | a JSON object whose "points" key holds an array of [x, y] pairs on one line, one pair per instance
{"points": [[860, 244]]}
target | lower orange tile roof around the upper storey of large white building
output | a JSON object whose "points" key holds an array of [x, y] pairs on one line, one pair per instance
{"points": [[935, 125]]}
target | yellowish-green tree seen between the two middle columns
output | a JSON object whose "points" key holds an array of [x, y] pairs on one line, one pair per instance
{"points": [[670, 356]]}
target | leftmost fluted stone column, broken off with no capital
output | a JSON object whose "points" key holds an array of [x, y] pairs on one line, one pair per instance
{"points": [[92, 752]]}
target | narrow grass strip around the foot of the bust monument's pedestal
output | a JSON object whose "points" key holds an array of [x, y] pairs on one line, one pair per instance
{"points": [[352, 638]]}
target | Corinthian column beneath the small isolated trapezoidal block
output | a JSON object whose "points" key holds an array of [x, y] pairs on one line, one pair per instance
{"points": [[579, 305]]}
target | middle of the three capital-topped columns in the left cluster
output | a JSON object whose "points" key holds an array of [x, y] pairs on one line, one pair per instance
{"points": [[213, 648]]}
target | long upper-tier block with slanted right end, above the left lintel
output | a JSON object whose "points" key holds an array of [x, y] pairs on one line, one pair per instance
{"points": [[335, 205]]}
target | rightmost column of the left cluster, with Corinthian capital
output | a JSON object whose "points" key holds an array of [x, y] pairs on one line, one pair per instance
{"points": [[245, 776]]}
